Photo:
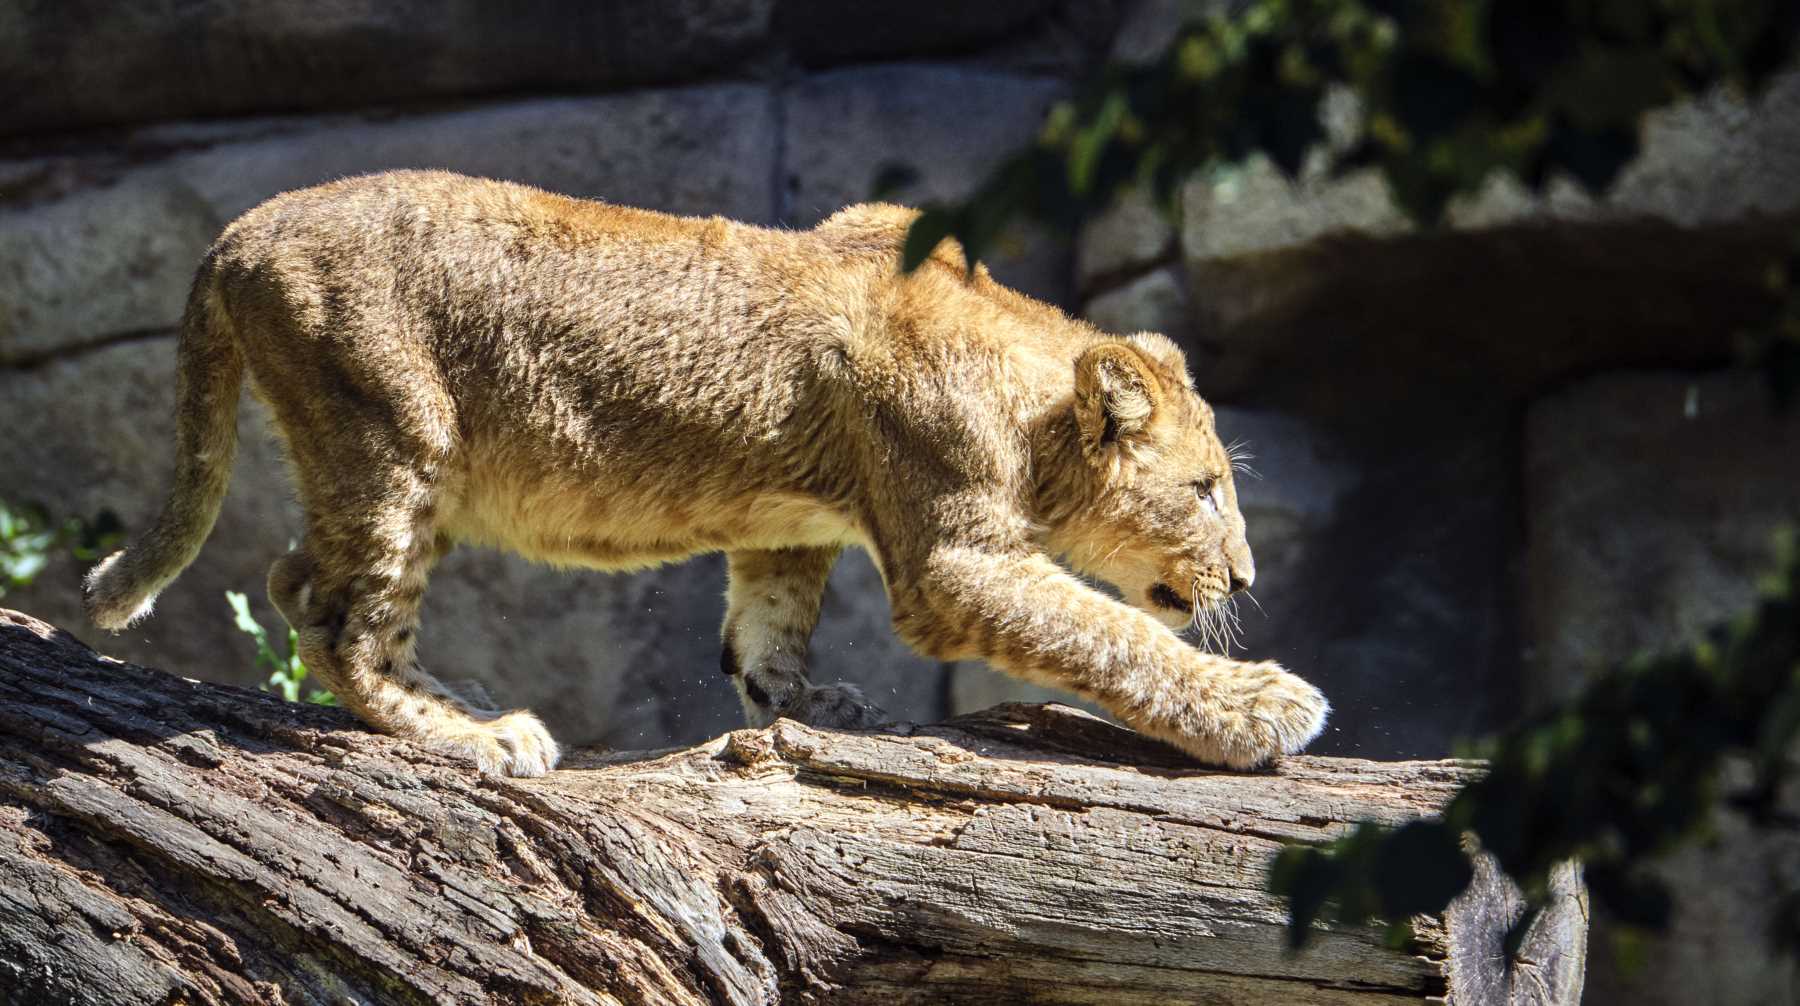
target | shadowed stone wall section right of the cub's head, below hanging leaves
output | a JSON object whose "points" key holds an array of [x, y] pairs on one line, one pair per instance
{"points": [[1506, 454]]}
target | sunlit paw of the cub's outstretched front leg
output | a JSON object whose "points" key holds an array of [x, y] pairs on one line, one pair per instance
{"points": [[1246, 715]]}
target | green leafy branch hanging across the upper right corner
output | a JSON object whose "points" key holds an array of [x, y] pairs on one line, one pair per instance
{"points": [[1448, 94]]}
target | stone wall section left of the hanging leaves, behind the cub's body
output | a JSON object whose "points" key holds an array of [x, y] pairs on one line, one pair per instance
{"points": [[118, 172]]}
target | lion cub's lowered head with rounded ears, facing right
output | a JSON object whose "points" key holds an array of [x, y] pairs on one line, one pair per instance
{"points": [[1158, 503]]}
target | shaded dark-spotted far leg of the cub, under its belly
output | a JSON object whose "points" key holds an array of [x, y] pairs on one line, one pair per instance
{"points": [[773, 607]]}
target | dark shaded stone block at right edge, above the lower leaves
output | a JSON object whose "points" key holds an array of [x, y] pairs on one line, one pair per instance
{"points": [[1651, 505]]}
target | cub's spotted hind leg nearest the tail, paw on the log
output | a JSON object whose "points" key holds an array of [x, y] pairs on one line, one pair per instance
{"points": [[354, 593]]}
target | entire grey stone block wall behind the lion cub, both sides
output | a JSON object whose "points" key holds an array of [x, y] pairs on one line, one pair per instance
{"points": [[1493, 456]]}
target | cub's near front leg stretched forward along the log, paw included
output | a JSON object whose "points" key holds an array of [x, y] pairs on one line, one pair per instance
{"points": [[1030, 618]]}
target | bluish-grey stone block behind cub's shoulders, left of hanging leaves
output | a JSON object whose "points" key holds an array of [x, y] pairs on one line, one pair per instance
{"points": [[843, 129]]}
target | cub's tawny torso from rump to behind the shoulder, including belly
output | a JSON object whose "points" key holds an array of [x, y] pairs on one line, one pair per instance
{"points": [[566, 343]]}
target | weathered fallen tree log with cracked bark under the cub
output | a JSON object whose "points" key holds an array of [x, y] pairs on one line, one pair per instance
{"points": [[172, 841]]}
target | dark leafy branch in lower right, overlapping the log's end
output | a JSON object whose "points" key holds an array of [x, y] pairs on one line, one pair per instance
{"points": [[1626, 773]]}
